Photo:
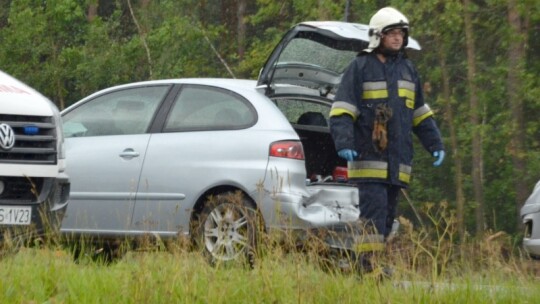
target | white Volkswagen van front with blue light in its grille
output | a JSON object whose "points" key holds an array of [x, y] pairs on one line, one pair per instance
{"points": [[33, 186]]}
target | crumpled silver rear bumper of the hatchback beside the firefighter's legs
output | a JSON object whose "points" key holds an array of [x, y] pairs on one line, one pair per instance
{"points": [[329, 212]]}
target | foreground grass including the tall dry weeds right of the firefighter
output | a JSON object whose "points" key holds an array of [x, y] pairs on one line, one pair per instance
{"points": [[430, 266]]}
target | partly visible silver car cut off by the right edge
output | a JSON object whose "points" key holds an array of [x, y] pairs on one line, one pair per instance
{"points": [[530, 215]]}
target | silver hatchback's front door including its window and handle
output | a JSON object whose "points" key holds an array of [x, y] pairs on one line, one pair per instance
{"points": [[106, 141]]}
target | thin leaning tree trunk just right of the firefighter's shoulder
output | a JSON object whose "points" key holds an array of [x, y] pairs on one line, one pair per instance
{"points": [[449, 118]]}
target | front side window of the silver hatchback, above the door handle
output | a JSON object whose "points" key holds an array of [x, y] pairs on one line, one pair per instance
{"points": [[127, 111]]}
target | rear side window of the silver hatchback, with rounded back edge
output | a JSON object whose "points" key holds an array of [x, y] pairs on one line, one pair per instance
{"points": [[208, 108]]}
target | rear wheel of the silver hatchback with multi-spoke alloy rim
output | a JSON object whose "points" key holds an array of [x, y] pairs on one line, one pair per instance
{"points": [[226, 230]]}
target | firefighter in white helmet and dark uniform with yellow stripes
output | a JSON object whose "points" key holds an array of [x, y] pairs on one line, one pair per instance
{"points": [[378, 105]]}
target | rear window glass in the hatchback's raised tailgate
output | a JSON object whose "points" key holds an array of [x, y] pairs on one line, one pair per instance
{"points": [[312, 53]]}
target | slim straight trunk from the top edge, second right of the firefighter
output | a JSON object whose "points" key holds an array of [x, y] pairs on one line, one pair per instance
{"points": [[474, 119]]}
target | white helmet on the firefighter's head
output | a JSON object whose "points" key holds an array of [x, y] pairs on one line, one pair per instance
{"points": [[384, 20]]}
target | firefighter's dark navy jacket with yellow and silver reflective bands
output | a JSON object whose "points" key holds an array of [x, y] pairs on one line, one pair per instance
{"points": [[366, 85]]}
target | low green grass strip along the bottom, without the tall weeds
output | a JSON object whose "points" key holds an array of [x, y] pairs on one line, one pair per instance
{"points": [[47, 274]]}
